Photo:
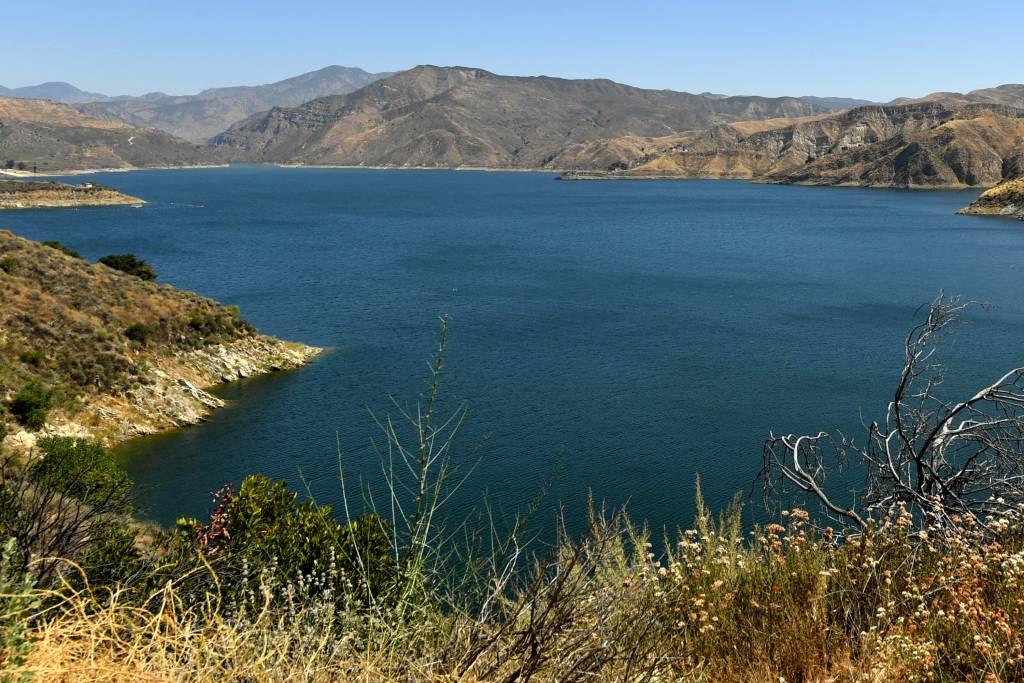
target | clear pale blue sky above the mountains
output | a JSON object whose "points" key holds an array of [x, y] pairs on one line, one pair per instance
{"points": [[876, 51]]}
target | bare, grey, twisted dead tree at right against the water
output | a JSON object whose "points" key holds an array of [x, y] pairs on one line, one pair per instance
{"points": [[948, 463]]}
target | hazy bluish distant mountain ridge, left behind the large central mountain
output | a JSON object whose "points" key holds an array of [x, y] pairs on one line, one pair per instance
{"points": [[198, 118]]}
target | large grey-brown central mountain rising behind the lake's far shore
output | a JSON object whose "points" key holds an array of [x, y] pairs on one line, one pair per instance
{"points": [[458, 117]]}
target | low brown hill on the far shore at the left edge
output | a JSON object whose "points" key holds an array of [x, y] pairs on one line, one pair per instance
{"points": [[54, 138]]}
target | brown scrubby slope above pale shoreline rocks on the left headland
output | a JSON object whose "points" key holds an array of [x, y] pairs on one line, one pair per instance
{"points": [[63, 322]]}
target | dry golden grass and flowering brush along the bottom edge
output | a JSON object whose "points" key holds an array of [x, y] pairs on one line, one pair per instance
{"points": [[785, 605]]}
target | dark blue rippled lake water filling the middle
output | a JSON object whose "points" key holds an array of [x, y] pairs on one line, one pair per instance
{"points": [[610, 337]]}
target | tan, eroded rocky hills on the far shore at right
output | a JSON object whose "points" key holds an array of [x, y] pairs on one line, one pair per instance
{"points": [[923, 145]]}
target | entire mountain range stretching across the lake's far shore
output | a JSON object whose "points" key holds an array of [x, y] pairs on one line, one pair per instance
{"points": [[440, 117]]}
